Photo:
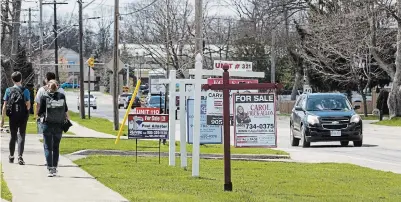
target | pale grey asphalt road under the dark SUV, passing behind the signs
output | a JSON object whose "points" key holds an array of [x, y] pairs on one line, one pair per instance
{"points": [[381, 149]]}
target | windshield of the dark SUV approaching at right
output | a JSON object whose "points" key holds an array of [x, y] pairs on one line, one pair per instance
{"points": [[328, 104]]}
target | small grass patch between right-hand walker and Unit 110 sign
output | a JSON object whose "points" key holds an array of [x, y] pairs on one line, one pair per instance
{"points": [[98, 124]]}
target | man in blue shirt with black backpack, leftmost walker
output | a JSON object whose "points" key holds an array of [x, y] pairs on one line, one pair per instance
{"points": [[16, 106]]}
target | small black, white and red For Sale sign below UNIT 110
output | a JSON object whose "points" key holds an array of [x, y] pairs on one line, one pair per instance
{"points": [[147, 126]]}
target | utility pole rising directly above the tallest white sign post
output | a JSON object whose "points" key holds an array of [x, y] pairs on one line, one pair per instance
{"points": [[198, 27]]}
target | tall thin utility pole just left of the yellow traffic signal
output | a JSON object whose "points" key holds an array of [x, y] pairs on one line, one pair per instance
{"points": [[81, 64]]}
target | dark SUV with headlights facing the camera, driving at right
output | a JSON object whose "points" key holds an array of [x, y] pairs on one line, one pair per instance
{"points": [[324, 117]]}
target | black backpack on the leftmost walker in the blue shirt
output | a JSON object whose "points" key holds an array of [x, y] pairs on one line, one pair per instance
{"points": [[16, 108]]}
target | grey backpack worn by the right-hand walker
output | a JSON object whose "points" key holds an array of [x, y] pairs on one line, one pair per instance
{"points": [[55, 109]]}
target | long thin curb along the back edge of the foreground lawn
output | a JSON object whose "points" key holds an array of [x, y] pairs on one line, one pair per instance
{"points": [[248, 157]]}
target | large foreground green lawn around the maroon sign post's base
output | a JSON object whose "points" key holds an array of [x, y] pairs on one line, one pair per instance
{"points": [[252, 181]]}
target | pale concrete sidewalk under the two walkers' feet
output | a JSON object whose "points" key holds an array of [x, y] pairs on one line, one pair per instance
{"points": [[29, 183]]}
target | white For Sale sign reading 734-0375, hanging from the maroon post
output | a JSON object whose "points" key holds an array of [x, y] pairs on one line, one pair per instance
{"points": [[254, 120]]}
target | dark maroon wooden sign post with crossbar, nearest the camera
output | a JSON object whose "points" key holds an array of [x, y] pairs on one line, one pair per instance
{"points": [[226, 87]]}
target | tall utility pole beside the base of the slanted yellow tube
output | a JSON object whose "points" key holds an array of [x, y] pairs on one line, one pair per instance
{"points": [[115, 66]]}
